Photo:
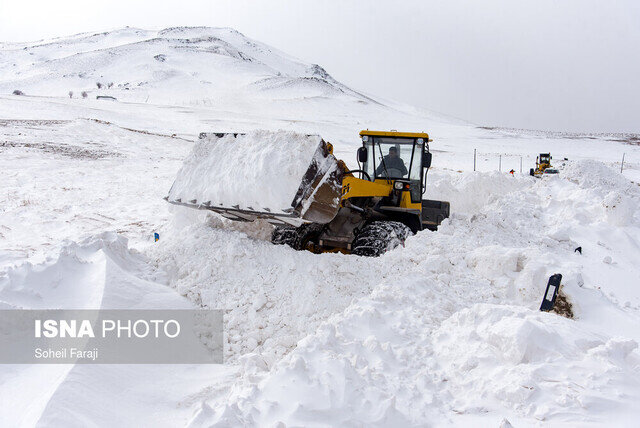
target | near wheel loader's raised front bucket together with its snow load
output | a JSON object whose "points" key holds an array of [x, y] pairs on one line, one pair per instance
{"points": [[284, 177]]}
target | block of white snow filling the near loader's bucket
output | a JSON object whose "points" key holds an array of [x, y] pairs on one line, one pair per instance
{"points": [[260, 170]]}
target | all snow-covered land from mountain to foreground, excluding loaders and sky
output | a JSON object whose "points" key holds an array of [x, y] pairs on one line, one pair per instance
{"points": [[443, 331]]}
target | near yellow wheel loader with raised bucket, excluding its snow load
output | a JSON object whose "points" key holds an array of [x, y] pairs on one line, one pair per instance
{"points": [[366, 211]]}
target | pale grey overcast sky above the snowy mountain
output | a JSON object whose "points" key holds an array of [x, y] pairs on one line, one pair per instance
{"points": [[540, 64]]}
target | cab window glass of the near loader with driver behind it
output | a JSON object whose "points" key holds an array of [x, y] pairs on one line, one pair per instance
{"points": [[391, 157]]}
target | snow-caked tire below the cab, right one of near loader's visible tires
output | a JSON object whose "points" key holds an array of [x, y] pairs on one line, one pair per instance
{"points": [[378, 237]]}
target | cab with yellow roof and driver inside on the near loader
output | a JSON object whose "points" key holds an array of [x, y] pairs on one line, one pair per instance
{"points": [[390, 157]]}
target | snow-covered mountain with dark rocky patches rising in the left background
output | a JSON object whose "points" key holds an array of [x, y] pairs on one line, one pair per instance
{"points": [[172, 65]]}
